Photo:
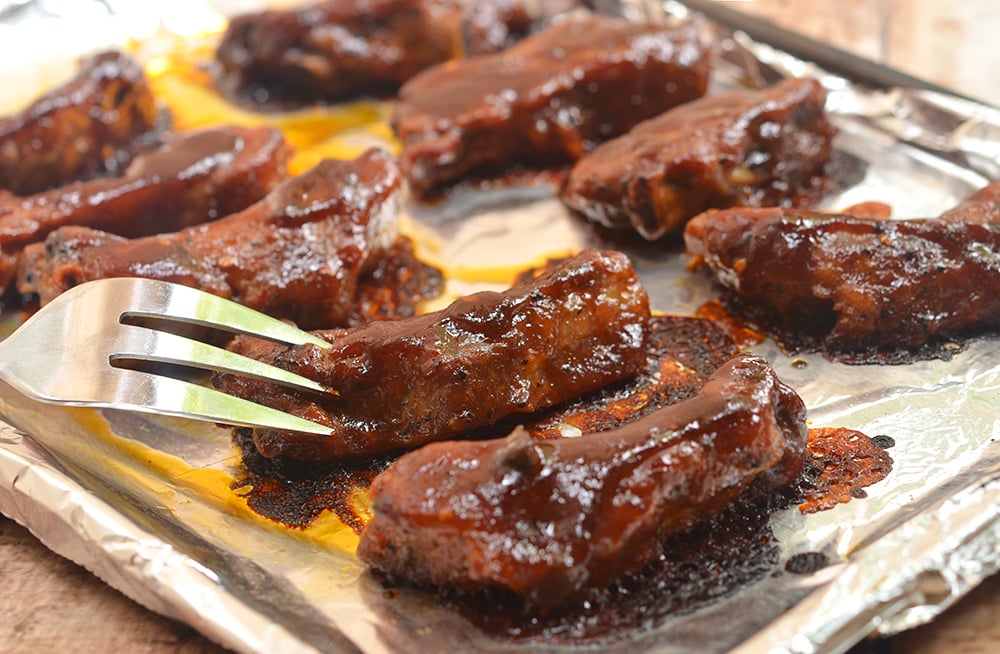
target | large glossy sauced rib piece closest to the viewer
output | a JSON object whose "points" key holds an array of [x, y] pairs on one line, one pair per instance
{"points": [[546, 519]]}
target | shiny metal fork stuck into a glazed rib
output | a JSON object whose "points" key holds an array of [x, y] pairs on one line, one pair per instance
{"points": [[84, 348]]}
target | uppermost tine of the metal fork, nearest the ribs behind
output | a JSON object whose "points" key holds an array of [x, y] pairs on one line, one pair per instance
{"points": [[153, 300]]}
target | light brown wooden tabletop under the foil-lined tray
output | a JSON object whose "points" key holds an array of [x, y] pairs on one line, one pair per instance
{"points": [[48, 604]]}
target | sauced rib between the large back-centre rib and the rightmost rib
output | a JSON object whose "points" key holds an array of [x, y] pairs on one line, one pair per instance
{"points": [[744, 148]]}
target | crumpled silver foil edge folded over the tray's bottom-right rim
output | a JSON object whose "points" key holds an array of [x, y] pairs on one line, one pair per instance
{"points": [[949, 554]]}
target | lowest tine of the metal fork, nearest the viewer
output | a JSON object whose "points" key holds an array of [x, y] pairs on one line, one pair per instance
{"points": [[175, 397]]}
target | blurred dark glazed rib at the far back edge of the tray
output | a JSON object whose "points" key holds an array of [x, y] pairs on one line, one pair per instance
{"points": [[336, 48]]}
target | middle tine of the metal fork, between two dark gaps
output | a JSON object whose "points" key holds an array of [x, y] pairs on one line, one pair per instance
{"points": [[140, 344]]}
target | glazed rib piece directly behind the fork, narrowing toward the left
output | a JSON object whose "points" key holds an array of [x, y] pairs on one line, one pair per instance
{"points": [[297, 254]]}
